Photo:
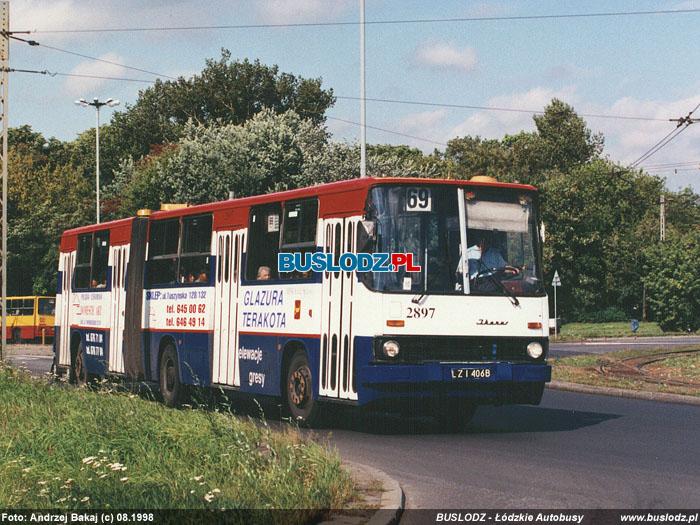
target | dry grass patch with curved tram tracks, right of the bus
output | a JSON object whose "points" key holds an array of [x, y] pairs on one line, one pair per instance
{"points": [[585, 369]]}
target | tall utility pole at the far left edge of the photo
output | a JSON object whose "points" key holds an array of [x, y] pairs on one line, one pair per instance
{"points": [[4, 74]]}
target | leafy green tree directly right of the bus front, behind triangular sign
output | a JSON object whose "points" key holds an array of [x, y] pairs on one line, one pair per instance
{"points": [[594, 217]]}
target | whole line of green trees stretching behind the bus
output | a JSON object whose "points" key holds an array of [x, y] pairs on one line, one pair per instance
{"points": [[247, 128]]}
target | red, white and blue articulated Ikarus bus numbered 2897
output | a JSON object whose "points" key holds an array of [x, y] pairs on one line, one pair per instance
{"points": [[194, 296]]}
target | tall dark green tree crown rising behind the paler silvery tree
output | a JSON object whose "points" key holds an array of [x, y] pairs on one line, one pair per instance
{"points": [[226, 92]]}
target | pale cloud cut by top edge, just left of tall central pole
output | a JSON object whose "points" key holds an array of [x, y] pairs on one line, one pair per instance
{"points": [[300, 11]]}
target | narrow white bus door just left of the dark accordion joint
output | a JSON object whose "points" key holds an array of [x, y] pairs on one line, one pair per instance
{"points": [[120, 257]]}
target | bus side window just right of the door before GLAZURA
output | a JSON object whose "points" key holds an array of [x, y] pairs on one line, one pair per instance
{"points": [[263, 240]]}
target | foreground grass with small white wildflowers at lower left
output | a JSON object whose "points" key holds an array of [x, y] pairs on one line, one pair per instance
{"points": [[66, 448]]}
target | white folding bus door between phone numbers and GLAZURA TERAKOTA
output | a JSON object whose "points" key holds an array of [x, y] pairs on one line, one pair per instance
{"points": [[225, 348]]}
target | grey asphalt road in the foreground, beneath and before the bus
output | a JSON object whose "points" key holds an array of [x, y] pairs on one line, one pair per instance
{"points": [[572, 451]]}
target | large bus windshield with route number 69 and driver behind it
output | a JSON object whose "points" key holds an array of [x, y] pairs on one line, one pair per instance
{"points": [[499, 228]]}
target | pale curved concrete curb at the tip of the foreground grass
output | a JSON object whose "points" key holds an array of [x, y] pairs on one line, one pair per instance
{"points": [[377, 490]]}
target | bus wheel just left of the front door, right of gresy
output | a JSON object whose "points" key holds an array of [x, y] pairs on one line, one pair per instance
{"points": [[299, 392]]}
